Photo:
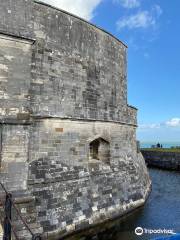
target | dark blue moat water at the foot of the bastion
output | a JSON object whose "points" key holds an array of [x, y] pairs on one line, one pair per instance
{"points": [[162, 210]]}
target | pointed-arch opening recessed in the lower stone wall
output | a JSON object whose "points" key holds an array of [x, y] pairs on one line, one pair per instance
{"points": [[100, 150]]}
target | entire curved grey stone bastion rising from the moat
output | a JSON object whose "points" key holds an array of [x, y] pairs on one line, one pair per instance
{"points": [[67, 135]]}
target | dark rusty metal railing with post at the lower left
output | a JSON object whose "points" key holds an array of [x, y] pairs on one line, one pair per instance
{"points": [[7, 224]]}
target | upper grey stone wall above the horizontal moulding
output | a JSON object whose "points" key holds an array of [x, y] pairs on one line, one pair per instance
{"points": [[66, 51]]}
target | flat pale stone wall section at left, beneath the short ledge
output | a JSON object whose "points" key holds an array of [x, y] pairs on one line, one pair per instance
{"points": [[15, 75]]}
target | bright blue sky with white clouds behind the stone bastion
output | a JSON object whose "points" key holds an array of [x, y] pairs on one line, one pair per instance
{"points": [[150, 28]]}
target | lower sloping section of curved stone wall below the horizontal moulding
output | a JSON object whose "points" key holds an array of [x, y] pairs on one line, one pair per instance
{"points": [[78, 191]]}
